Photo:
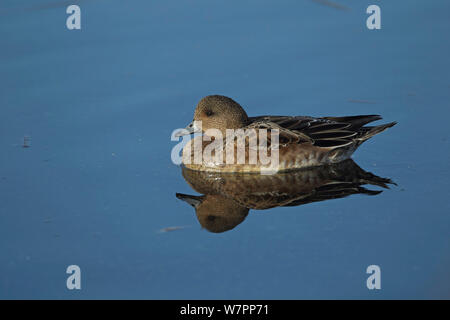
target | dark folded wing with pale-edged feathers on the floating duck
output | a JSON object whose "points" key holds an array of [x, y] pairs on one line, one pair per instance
{"points": [[328, 132]]}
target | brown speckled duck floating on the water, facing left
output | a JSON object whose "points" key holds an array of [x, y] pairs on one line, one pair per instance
{"points": [[293, 142]]}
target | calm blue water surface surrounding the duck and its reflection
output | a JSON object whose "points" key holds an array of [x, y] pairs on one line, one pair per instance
{"points": [[97, 184]]}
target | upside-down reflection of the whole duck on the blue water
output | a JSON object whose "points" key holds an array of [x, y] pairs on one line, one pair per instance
{"points": [[228, 197]]}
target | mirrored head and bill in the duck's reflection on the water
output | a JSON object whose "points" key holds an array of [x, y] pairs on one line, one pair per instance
{"points": [[215, 212]]}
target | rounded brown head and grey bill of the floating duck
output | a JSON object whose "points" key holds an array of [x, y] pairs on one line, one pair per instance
{"points": [[217, 112]]}
